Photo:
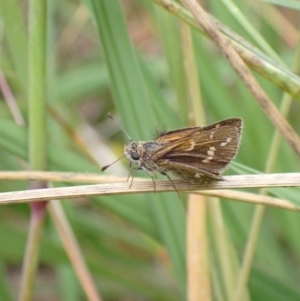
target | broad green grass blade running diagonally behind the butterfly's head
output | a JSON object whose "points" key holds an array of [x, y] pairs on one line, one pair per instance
{"points": [[133, 103]]}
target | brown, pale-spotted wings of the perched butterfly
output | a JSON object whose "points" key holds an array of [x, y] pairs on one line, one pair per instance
{"points": [[200, 151]]}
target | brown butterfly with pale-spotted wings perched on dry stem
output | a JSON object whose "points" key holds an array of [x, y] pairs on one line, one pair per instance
{"points": [[197, 154]]}
